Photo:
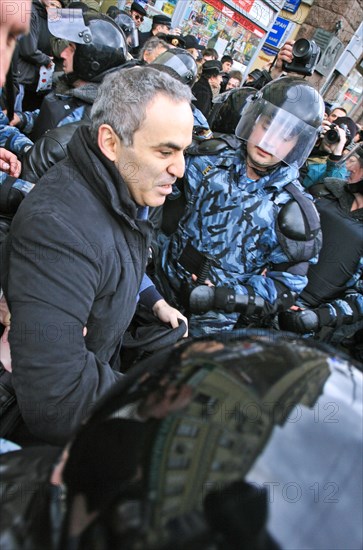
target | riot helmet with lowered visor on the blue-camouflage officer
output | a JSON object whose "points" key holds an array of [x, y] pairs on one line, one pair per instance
{"points": [[287, 111]]}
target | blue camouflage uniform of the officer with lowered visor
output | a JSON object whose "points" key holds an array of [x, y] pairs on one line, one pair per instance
{"points": [[233, 219]]}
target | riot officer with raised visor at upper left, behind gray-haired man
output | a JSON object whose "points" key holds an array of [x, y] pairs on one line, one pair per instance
{"points": [[96, 45]]}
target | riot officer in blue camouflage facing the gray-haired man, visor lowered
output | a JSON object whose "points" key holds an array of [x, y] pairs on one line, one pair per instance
{"points": [[247, 217]]}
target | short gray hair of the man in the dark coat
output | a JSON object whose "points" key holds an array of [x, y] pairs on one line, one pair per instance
{"points": [[124, 95]]}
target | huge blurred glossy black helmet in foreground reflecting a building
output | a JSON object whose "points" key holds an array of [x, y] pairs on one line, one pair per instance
{"points": [[198, 444]]}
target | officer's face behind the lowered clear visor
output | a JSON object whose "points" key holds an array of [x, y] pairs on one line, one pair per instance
{"points": [[273, 143]]}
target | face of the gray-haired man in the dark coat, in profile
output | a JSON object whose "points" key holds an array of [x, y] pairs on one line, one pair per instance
{"points": [[155, 160]]}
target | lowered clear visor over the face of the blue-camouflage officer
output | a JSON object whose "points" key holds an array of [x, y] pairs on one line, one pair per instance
{"points": [[276, 131]]}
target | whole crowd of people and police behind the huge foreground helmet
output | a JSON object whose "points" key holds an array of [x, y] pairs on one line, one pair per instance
{"points": [[120, 193]]}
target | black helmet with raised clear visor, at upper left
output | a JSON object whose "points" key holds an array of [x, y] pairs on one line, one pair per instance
{"points": [[100, 43]]}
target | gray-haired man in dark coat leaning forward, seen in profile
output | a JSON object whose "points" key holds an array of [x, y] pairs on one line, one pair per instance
{"points": [[76, 254]]}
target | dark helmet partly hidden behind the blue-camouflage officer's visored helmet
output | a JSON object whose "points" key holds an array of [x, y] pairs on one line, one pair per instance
{"points": [[227, 109]]}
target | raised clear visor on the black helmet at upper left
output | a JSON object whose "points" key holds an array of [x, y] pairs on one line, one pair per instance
{"points": [[69, 25]]}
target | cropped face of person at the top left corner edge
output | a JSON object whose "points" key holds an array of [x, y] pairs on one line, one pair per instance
{"points": [[14, 21]]}
